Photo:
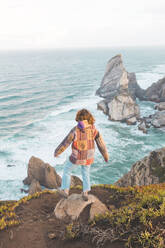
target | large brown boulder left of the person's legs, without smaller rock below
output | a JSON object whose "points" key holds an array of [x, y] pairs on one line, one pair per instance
{"points": [[44, 173]]}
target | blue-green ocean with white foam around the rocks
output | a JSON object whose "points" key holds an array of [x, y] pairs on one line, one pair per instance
{"points": [[40, 93]]}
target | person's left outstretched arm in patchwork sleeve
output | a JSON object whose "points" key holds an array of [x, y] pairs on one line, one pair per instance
{"points": [[65, 143]]}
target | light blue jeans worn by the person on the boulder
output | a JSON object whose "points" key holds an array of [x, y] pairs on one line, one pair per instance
{"points": [[85, 170]]}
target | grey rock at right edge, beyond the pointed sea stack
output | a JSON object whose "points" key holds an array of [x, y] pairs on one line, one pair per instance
{"points": [[156, 92]]}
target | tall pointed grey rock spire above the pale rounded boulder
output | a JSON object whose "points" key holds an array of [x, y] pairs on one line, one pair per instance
{"points": [[116, 78]]}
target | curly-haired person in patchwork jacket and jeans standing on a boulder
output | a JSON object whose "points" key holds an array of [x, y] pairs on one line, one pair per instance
{"points": [[83, 136]]}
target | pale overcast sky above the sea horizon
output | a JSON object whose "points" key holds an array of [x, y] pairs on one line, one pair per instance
{"points": [[28, 24]]}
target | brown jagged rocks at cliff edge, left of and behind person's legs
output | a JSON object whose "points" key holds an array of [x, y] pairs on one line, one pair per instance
{"points": [[41, 173]]}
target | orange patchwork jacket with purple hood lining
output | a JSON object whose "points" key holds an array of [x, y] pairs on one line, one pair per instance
{"points": [[83, 138]]}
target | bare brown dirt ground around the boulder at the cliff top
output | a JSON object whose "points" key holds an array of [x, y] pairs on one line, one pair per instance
{"points": [[38, 223]]}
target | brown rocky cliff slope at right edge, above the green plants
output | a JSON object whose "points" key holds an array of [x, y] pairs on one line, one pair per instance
{"points": [[149, 170]]}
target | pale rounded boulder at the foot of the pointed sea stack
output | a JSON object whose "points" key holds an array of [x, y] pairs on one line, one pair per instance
{"points": [[123, 107]]}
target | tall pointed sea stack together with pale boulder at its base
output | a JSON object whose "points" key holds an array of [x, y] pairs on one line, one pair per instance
{"points": [[120, 89]]}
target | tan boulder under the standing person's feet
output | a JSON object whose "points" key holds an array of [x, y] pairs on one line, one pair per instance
{"points": [[73, 206]]}
